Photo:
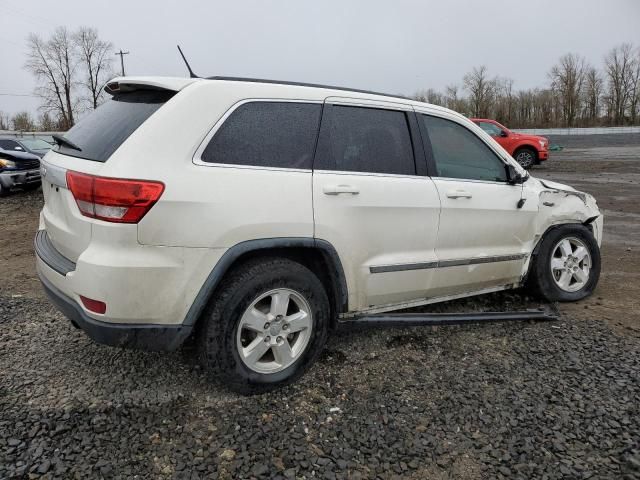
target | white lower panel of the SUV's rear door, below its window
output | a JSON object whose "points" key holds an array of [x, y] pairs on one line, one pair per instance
{"points": [[392, 221]]}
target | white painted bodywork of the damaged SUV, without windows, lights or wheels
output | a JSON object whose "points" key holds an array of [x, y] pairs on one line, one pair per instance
{"points": [[152, 271]]}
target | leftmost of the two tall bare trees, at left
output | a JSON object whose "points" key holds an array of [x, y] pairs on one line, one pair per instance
{"points": [[54, 64]]}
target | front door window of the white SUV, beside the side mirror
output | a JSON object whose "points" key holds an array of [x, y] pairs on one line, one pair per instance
{"points": [[458, 153]]}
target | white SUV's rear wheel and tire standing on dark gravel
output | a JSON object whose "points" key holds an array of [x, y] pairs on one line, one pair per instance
{"points": [[265, 326]]}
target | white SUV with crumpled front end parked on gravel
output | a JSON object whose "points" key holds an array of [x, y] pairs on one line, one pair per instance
{"points": [[254, 215]]}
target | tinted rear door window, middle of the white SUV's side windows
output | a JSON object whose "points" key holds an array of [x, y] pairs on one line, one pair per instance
{"points": [[358, 139]]}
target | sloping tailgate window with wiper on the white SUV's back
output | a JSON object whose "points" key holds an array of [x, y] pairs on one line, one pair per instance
{"points": [[100, 133]]}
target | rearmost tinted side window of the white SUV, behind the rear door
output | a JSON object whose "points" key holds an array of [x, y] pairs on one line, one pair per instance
{"points": [[267, 134]]}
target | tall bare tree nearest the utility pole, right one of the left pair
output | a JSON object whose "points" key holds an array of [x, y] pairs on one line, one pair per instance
{"points": [[95, 61]]}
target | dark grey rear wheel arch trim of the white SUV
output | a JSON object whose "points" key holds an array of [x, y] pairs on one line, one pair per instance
{"points": [[317, 255]]}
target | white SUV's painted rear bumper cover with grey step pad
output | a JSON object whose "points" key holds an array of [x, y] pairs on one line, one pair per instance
{"points": [[140, 284]]}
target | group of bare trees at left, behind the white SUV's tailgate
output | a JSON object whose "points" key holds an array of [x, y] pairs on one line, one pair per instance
{"points": [[70, 69]]}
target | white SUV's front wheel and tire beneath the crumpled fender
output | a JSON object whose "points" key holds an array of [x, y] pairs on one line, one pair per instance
{"points": [[567, 265]]}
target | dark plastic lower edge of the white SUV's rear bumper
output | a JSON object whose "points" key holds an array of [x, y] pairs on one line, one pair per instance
{"points": [[147, 337]]}
